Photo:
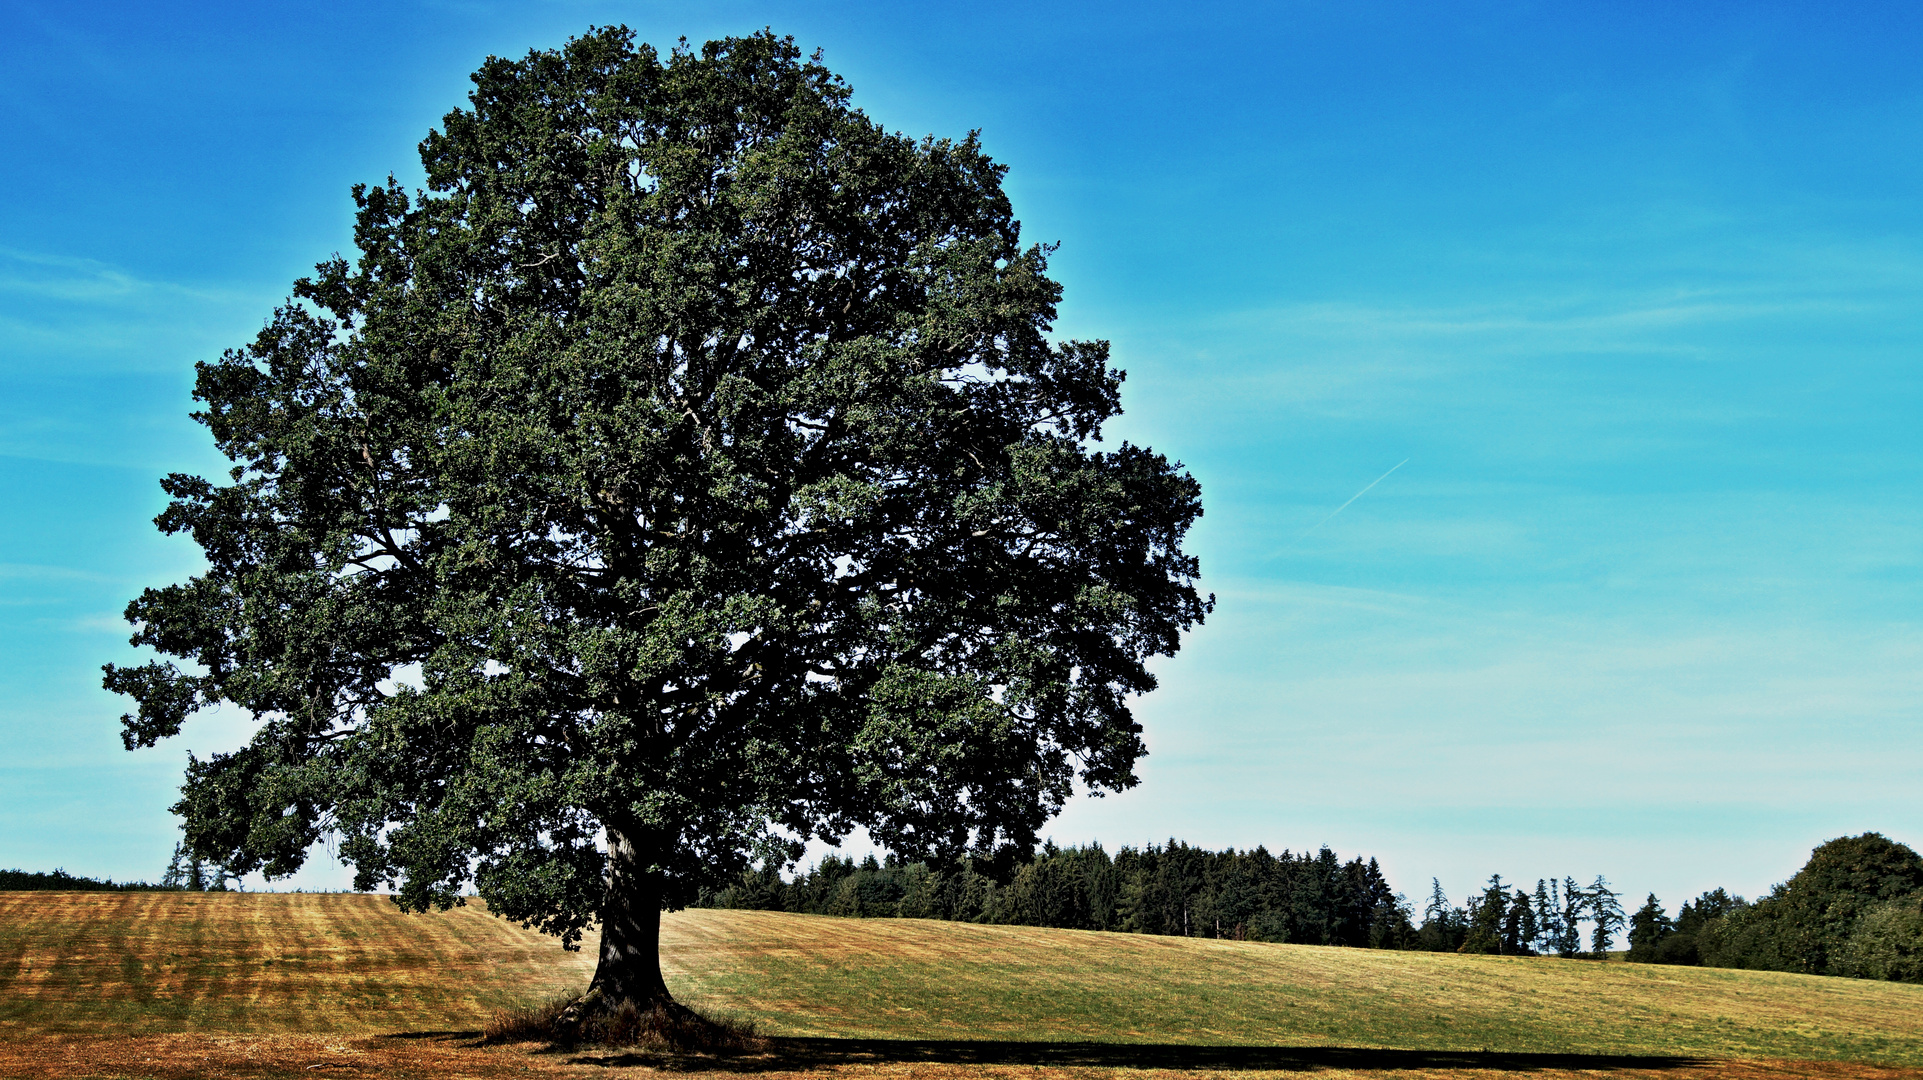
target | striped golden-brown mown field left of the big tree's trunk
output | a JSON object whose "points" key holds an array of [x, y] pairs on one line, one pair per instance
{"points": [[149, 964]]}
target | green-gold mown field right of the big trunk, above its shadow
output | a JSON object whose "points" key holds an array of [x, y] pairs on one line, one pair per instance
{"points": [[936, 981]]}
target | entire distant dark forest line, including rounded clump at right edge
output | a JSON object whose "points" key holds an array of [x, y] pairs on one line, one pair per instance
{"points": [[1857, 910]]}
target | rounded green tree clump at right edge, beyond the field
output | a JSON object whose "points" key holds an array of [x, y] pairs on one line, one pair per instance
{"points": [[1855, 910]]}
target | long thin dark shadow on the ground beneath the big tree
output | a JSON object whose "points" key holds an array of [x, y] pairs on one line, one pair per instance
{"points": [[797, 1054]]}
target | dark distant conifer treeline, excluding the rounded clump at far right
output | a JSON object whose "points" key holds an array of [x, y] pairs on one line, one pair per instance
{"points": [[1182, 891]]}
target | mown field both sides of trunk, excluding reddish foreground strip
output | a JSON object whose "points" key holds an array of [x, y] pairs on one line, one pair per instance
{"points": [[276, 964]]}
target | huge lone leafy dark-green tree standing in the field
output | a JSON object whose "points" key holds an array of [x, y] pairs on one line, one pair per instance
{"points": [[686, 476]]}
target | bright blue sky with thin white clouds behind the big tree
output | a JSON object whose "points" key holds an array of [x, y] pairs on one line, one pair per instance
{"points": [[1632, 295]]}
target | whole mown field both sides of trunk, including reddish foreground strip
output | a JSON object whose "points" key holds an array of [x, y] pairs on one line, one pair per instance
{"points": [[262, 985]]}
